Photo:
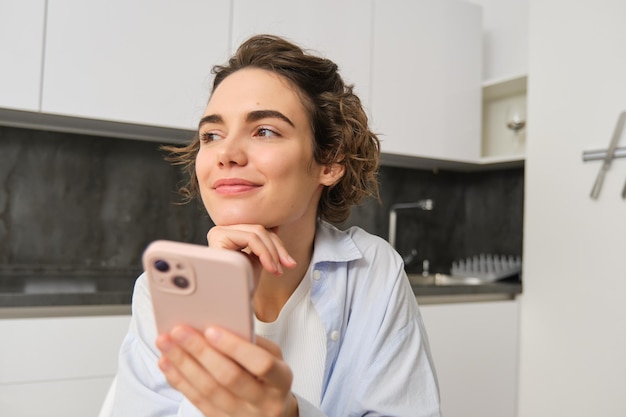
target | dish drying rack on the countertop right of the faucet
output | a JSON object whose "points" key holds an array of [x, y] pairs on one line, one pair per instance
{"points": [[487, 267]]}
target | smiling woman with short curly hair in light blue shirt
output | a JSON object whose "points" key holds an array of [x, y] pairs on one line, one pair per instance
{"points": [[284, 148]]}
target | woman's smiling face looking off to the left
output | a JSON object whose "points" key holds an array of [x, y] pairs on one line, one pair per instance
{"points": [[255, 164]]}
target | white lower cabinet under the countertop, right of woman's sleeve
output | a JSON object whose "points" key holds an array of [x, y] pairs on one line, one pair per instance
{"points": [[475, 349]]}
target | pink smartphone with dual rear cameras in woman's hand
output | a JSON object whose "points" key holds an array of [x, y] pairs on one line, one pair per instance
{"points": [[199, 286]]}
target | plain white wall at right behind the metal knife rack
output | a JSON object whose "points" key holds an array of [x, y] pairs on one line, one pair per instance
{"points": [[573, 313]]}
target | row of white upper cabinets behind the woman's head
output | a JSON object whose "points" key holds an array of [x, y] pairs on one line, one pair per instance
{"points": [[117, 67]]}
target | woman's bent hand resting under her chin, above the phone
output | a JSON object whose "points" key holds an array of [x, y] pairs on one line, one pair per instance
{"points": [[263, 246]]}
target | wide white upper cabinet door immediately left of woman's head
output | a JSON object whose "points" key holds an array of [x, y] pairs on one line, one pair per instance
{"points": [[145, 61]]}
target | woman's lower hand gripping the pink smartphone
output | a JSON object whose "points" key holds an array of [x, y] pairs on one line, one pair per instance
{"points": [[225, 375]]}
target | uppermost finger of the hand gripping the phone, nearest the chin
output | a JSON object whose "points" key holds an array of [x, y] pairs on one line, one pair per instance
{"points": [[265, 365]]}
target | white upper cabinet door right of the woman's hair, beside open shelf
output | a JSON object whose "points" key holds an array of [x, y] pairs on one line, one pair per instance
{"points": [[426, 78]]}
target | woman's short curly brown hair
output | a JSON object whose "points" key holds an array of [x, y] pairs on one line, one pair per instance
{"points": [[337, 118]]}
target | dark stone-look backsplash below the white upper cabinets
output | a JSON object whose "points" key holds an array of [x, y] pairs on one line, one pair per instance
{"points": [[78, 202]]}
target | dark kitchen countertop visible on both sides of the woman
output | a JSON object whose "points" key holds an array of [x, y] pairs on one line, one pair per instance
{"points": [[31, 289]]}
